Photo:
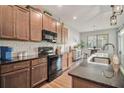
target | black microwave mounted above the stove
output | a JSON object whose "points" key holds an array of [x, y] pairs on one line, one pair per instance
{"points": [[49, 36]]}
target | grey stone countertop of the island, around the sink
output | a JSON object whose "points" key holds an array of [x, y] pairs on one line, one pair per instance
{"points": [[94, 73]]}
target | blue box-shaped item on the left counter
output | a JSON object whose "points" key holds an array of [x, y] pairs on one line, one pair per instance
{"points": [[5, 53]]}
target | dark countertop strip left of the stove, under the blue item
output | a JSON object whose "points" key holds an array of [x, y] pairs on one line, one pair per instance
{"points": [[31, 57]]}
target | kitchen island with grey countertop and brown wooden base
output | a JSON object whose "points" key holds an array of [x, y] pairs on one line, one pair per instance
{"points": [[90, 75]]}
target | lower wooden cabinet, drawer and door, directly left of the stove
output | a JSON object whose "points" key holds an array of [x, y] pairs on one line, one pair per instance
{"points": [[38, 72]]}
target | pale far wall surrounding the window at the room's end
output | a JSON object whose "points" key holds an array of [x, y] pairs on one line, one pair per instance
{"points": [[111, 32]]}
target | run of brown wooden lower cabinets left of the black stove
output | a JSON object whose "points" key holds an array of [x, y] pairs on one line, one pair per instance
{"points": [[23, 74]]}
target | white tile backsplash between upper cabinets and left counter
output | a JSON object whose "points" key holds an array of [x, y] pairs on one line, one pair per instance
{"points": [[29, 47]]}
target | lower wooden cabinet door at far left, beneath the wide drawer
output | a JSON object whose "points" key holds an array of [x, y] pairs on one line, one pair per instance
{"points": [[16, 79]]}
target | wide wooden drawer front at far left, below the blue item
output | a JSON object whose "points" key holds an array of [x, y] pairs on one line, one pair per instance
{"points": [[15, 66]]}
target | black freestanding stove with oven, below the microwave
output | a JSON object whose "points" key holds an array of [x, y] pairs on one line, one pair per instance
{"points": [[54, 62]]}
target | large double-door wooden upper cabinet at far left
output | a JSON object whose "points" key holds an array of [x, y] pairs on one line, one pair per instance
{"points": [[14, 22]]}
